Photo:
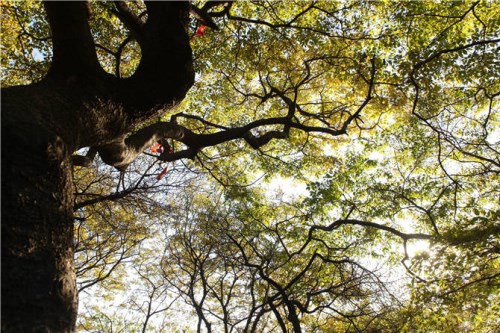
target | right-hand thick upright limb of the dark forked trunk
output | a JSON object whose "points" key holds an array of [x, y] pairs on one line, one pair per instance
{"points": [[165, 72]]}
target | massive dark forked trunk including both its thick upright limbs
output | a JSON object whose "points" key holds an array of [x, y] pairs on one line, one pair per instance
{"points": [[76, 105]]}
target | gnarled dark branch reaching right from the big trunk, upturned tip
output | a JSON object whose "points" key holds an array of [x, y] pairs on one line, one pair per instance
{"points": [[125, 150]]}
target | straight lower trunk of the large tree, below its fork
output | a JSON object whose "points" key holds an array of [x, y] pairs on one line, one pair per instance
{"points": [[38, 280]]}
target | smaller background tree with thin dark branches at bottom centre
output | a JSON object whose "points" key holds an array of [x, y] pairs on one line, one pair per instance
{"points": [[250, 269]]}
